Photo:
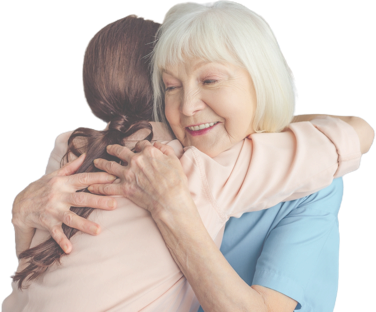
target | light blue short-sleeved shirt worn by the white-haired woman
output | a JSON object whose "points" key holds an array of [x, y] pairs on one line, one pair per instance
{"points": [[292, 248]]}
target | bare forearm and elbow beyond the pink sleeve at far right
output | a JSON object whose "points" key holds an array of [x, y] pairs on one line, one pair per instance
{"points": [[363, 129]]}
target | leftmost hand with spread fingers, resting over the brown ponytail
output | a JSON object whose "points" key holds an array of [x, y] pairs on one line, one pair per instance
{"points": [[45, 204]]}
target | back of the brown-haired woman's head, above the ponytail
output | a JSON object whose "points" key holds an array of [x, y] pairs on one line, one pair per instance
{"points": [[116, 74]]}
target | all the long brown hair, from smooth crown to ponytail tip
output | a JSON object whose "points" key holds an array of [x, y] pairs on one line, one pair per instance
{"points": [[117, 88]]}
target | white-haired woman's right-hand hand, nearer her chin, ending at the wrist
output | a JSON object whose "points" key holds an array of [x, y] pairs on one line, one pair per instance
{"points": [[153, 179]]}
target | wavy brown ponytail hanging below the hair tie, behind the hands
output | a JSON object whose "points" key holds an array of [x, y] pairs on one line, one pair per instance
{"points": [[41, 257]]}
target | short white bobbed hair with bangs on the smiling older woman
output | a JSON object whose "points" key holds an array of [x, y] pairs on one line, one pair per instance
{"points": [[227, 31]]}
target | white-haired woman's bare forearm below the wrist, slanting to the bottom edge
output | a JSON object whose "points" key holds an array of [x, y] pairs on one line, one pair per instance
{"points": [[217, 286]]}
